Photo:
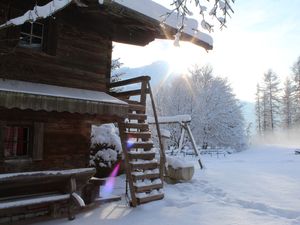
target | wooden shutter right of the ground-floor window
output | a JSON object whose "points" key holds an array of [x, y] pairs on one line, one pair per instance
{"points": [[38, 141]]}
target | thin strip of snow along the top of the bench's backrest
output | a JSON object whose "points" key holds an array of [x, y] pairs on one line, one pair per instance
{"points": [[46, 172]]}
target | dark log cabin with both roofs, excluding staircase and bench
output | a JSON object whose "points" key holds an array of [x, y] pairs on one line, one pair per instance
{"points": [[55, 79]]}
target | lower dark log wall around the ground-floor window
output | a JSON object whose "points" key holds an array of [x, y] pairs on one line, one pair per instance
{"points": [[66, 142]]}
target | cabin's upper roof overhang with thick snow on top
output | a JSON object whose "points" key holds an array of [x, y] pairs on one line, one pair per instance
{"points": [[136, 22]]}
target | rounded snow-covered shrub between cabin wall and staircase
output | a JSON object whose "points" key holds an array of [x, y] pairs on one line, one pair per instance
{"points": [[106, 148]]}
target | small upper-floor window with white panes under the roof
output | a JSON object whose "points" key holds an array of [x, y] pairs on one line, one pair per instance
{"points": [[32, 35]]}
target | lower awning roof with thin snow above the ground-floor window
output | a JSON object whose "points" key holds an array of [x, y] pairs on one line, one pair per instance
{"points": [[51, 98]]}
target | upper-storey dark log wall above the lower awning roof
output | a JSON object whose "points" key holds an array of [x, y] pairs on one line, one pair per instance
{"points": [[71, 56]]}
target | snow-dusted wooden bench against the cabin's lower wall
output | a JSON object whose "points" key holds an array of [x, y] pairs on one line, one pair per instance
{"points": [[18, 190]]}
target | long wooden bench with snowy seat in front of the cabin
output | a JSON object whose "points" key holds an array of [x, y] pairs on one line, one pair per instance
{"points": [[31, 194]]}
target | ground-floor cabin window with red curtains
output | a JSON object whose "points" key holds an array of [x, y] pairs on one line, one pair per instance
{"points": [[17, 142]]}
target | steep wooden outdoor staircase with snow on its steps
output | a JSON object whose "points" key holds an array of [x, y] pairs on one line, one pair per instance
{"points": [[144, 171]]}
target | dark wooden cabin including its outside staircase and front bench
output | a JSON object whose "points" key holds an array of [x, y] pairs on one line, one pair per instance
{"points": [[55, 68]]}
